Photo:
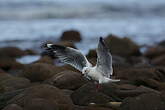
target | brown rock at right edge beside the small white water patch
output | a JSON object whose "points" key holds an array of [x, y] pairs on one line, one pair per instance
{"points": [[153, 52]]}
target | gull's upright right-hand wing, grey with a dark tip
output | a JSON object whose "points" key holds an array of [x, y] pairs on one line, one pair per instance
{"points": [[104, 59]]}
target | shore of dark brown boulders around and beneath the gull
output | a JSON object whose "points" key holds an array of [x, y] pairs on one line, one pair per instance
{"points": [[43, 85]]}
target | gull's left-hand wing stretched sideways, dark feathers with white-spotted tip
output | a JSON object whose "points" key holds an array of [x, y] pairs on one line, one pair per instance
{"points": [[69, 56]]}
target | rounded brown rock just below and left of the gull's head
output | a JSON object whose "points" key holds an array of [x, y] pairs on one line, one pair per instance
{"points": [[67, 80]]}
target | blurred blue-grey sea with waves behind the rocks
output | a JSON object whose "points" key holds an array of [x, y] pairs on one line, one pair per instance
{"points": [[28, 23]]}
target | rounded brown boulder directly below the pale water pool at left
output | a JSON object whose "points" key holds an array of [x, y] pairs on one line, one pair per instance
{"points": [[38, 71]]}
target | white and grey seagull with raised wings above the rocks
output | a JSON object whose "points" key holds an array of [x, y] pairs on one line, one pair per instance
{"points": [[101, 72]]}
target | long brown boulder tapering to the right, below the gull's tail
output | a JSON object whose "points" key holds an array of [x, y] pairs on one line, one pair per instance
{"points": [[119, 92]]}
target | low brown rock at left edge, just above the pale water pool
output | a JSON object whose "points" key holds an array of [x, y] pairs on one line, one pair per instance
{"points": [[11, 52]]}
